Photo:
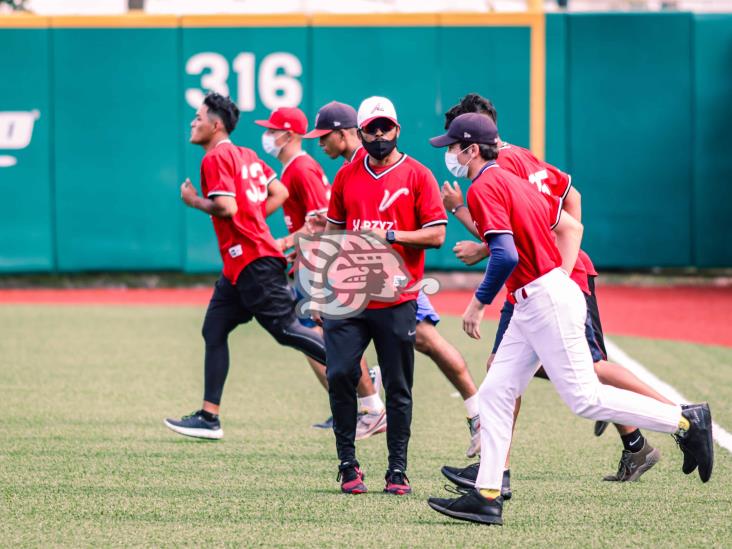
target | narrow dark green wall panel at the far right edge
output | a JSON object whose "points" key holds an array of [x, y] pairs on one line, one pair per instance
{"points": [[712, 150]]}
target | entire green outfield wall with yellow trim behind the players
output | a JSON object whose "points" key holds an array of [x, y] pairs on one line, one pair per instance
{"points": [[94, 116]]}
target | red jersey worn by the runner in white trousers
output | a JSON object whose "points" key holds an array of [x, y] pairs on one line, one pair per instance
{"points": [[501, 203]]}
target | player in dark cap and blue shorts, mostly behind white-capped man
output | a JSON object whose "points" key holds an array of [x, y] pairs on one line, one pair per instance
{"points": [[335, 127]]}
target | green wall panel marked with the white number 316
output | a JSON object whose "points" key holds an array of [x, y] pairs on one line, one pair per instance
{"points": [[261, 68]]}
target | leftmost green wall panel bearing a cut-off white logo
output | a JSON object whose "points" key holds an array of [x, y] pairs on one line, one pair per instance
{"points": [[26, 213]]}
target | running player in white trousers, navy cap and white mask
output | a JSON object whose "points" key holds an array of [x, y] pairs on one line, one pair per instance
{"points": [[548, 324]]}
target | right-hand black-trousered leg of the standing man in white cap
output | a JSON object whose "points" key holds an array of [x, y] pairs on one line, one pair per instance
{"points": [[393, 331]]}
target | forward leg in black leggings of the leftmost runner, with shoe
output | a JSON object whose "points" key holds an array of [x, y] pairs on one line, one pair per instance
{"points": [[224, 313]]}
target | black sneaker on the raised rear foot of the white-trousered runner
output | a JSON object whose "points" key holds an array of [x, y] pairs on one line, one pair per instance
{"points": [[697, 443]]}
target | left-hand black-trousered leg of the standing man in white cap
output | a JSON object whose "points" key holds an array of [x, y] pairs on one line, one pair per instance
{"points": [[346, 341]]}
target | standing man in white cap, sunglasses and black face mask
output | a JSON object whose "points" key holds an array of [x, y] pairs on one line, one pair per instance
{"points": [[396, 198]]}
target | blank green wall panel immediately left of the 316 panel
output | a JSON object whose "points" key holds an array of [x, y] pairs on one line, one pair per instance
{"points": [[117, 148]]}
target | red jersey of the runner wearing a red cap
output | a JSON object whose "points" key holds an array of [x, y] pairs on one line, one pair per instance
{"points": [[308, 187]]}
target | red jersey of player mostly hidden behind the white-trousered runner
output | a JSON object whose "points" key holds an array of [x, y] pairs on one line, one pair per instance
{"points": [[548, 180]]}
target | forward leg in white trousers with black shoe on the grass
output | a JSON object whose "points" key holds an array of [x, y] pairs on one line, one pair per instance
{"points": [[508, 377]]}
